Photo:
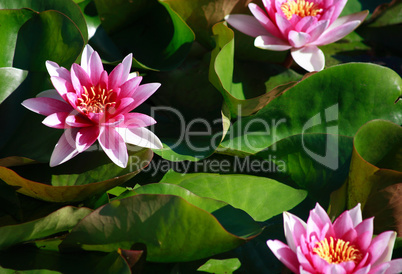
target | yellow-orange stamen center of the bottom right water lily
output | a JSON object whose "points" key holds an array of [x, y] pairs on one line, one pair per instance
{"points": [[337, 251]]}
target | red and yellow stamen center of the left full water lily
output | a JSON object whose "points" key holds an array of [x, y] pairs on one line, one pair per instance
{"points": [[96, 100]]}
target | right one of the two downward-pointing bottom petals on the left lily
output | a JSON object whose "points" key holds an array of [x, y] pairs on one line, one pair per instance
{"points": [[114, 146]]}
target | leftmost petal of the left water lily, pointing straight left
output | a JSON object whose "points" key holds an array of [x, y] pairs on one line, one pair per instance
{"points": [[46, 106]]}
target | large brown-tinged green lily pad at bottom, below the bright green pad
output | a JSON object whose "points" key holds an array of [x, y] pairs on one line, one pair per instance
{"points": [[176, 233]]}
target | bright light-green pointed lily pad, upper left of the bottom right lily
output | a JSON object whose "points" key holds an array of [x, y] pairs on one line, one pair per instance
{"points": [[260, 197]]}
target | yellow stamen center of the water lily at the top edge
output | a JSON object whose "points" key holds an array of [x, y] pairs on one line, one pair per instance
{"points": [[299, 7]]}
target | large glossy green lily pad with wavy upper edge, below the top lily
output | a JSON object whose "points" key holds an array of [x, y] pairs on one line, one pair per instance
{"points": [[337, 100]]}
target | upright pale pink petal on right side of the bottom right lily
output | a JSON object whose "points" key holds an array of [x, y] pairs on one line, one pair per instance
{"points": [[381, 247]]}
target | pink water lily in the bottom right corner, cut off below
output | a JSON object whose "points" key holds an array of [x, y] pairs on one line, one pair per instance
{"points": [[345, 246]]}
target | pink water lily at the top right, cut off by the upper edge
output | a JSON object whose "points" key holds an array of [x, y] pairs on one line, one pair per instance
{"points": [[298, 25]]}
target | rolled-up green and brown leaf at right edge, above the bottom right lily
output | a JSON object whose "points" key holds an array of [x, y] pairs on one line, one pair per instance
{"points": [[376, 174]]}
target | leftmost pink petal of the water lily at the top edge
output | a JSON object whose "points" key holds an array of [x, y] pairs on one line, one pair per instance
{"points": [[246, 24]]}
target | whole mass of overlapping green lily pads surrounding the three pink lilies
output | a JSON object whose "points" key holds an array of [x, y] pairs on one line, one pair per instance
{"points": [[89, 215]]}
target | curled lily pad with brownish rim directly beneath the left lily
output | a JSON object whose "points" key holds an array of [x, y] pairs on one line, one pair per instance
{"points": [[74, 181]]}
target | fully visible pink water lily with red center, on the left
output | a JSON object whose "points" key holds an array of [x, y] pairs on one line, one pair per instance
{"points": [[90, 104]]}
